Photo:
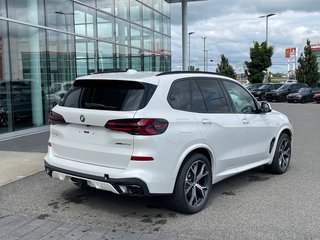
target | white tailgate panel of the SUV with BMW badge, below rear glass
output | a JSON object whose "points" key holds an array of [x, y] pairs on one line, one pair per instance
{"points": [[89, 141]]}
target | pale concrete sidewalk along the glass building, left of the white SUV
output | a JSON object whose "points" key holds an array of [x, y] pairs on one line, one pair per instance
{"points": [[22, 156]]}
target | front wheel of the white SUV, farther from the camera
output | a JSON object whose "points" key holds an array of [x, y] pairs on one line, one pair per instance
{"points": [[282, 156]]}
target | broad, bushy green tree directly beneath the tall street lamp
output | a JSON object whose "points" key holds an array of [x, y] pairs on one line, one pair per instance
{"points": [[260, 56]]}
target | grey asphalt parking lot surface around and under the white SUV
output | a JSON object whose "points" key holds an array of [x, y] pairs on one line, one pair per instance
{"points": [[251, 205]]}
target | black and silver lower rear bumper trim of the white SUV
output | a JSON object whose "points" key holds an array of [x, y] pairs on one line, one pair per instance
{"points": [[126, 186]]}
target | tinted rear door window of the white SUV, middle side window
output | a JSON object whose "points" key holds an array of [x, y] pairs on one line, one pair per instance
{"points": [[213, 95]]}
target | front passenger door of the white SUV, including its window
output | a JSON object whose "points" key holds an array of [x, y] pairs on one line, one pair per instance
{"points": [[258, 129]]}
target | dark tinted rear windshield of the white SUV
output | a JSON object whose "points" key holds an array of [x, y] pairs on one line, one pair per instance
{"points": [[108, 95]]}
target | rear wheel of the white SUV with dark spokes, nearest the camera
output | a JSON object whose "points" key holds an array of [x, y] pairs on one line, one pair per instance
{"points": [[193, 185]]}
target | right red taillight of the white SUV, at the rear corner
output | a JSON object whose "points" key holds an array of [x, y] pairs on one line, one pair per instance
{"points": [[139, 126]]}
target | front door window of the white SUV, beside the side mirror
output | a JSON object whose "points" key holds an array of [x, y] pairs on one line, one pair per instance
{"points": [[242, 100]]}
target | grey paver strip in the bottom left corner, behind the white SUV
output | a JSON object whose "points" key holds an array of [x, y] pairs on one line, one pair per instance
{"points": [[37, 227]]}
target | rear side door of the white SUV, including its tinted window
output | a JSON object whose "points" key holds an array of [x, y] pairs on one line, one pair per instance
{"points": [[220, 129]]}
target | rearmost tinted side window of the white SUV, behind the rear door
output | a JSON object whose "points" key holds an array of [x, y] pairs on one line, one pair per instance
{"points": [[179, 96]]}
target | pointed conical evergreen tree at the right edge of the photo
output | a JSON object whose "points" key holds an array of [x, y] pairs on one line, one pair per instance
{"points": [[308, 69]]}
